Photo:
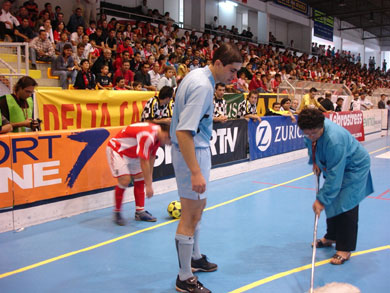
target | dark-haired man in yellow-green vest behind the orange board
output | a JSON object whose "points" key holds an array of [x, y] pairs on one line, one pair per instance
{"points": [[17, 107]]}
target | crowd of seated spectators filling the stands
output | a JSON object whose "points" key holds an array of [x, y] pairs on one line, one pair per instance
{"points": [[103, 54]]}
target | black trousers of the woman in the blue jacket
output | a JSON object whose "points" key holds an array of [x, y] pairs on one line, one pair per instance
{"points": [[343, 229]]}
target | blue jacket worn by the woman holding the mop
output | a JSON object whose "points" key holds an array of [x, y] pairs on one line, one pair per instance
{"points": [[345, 164]]}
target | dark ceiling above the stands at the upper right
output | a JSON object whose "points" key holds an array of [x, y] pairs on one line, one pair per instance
{"points": [[371, 16]]}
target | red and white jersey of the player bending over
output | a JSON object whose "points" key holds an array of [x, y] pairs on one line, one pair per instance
{"points": [[137, 140]]}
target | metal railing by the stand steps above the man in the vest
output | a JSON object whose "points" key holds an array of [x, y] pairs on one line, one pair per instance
{"points": [[18, 71]]}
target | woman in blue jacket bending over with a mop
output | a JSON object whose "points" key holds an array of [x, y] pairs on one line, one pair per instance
{"points": [[345, 165]]}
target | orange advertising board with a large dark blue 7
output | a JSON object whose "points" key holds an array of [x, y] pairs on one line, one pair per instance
{"points": [[39, 166]]}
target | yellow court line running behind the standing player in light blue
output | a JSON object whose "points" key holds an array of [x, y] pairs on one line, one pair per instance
{"points": [[50, 260]]}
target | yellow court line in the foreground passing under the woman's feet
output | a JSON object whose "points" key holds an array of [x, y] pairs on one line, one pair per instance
{"points": [[300, 269]]}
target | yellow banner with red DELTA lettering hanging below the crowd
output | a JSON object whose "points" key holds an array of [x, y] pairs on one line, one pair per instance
{"points": [[75, 109]]}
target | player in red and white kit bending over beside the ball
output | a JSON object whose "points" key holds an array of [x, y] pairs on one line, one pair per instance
{"points": [[131, 154]]}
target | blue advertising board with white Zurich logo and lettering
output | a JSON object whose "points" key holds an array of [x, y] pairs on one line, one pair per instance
{"points": [[273, 136]]}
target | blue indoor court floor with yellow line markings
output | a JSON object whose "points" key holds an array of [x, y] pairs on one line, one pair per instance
{"points": [[258, 227]]}
